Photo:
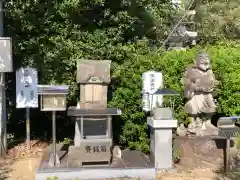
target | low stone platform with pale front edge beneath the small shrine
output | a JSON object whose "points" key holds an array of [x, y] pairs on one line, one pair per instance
{"points": [[133, 164]]}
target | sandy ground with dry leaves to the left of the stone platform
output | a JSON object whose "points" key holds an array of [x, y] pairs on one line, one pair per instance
{"points": [[21, 163]]}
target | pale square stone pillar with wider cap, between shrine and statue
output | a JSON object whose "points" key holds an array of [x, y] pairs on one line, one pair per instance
{"points": [[161, 142]]}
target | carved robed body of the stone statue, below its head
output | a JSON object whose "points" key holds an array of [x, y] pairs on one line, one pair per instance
{"points": [[198, 86]]}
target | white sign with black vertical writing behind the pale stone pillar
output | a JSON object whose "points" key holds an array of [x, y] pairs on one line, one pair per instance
{"points": [[152, 81]]}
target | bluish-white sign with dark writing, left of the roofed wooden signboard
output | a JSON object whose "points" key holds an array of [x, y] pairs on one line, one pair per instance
{"points": [[26, 88]]}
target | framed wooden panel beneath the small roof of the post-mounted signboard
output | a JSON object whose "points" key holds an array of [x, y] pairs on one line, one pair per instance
{"points": [[53, 102]]}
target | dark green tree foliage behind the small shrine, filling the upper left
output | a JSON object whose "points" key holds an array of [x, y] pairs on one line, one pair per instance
{"points": [[53, 36]]}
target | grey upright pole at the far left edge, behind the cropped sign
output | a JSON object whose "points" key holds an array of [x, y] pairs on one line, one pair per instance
{"points": [[3, 119]]}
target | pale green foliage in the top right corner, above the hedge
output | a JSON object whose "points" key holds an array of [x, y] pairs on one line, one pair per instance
{"points": [[218, 20]]}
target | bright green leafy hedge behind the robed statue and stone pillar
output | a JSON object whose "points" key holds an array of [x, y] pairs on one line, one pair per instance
{"points": [[127, 83]]}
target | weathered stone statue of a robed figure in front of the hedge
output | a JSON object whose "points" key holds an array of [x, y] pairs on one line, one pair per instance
{"points": [[199, 82]]}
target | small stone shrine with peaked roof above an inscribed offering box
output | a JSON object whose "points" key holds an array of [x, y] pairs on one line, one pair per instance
{"points": [[93, 126]]}
